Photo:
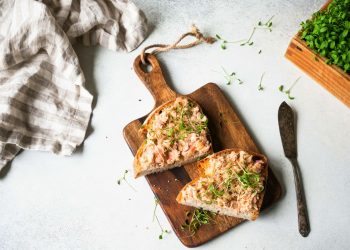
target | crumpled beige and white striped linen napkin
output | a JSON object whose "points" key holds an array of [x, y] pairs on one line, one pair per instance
{"points": [[43, 102]]}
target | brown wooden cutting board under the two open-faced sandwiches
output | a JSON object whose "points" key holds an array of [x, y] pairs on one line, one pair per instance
{"points": [[227, 131]]}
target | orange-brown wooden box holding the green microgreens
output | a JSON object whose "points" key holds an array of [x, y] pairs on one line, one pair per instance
{"points": [[331, 77]]}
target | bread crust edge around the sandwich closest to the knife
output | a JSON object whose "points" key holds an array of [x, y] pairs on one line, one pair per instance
{"points": [[202, 165]]}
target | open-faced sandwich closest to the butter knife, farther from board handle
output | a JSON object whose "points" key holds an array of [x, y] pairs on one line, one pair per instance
{"points": [[232, 183]]}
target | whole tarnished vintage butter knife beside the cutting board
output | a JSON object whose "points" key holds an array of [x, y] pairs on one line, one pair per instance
{"points": [[288, 137]]}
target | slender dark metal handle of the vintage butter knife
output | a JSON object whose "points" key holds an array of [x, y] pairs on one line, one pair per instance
{"points": [[303, 219]]}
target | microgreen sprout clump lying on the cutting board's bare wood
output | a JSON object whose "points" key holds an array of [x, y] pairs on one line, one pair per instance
{"points": [[199, 217]]}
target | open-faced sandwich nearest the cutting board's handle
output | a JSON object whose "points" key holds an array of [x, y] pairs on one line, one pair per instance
{"points": [[176, 134]]}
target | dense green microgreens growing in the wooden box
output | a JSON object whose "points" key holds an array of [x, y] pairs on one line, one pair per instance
{"points": [[328, 33]]}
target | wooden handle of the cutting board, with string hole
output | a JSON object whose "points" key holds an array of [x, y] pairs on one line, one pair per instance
{"points": [[154, 79]]}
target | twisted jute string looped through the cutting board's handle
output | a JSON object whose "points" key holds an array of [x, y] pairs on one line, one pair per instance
{"points": [[195, 32]]}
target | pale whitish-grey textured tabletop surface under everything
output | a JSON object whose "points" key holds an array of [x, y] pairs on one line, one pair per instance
{"points": [[51, 202]]}
